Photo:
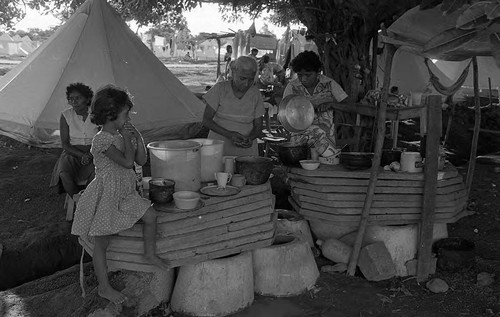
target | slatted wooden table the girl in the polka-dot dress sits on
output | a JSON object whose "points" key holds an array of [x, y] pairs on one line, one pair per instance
{"points": [[223, 226]]}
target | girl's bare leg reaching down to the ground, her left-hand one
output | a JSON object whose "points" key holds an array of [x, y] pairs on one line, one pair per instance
{"points": [[101, 271]]}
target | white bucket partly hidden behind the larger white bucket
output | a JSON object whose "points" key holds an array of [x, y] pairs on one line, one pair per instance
{"points": [[211, 158]]}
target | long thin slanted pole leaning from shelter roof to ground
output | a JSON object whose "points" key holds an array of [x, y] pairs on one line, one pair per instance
{"points": [[379, 142]]}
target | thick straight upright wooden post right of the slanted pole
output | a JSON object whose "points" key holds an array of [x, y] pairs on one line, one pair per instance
{"points": [[430, 186]]}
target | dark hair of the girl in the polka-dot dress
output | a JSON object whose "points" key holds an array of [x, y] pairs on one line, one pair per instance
{"points": [[108, 102]]}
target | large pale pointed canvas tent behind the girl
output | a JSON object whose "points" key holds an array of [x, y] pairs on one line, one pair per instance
{"points": [[94, 47]]}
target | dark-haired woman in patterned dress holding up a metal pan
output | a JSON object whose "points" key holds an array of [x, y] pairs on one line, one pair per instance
{"points": [[317, 88]]}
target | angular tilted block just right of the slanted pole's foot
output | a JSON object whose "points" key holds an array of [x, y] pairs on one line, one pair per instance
{"points": [[375, 262]]}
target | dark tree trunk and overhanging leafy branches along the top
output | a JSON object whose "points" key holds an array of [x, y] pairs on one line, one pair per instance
{"points": [[342, 29]]}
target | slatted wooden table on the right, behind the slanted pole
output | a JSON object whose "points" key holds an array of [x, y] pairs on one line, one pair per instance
{"points": [[333, 193]]}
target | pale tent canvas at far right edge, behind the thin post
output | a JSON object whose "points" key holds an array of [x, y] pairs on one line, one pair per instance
{"points": [[487, 68]]}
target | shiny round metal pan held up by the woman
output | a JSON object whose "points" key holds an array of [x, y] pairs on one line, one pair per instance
{"points": [[295, 113]]}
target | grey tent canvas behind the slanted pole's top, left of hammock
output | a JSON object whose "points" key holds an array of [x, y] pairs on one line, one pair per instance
{"points": [[409, 72]]}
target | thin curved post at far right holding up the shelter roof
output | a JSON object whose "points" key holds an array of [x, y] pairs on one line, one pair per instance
{"points": [[477, 126]]}
